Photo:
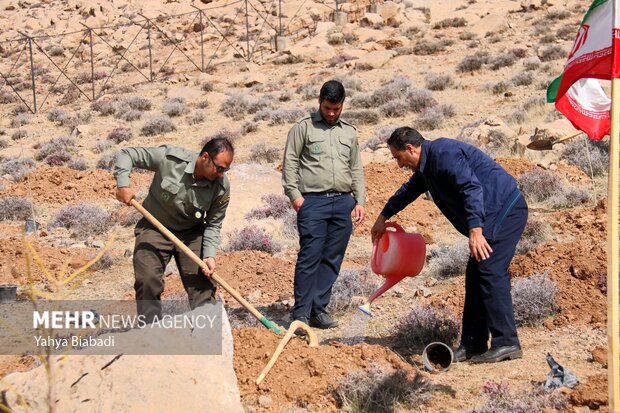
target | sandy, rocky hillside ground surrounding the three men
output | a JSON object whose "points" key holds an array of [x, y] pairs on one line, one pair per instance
{"points": [[390, 59]]}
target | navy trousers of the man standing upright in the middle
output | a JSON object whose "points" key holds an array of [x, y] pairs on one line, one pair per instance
{"points": [[324, 225]]}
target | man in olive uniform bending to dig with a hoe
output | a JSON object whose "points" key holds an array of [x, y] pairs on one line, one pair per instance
{"points": [[189, 196]]}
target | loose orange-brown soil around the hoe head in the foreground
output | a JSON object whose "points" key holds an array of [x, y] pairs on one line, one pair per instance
{"points": [[302, 376]]}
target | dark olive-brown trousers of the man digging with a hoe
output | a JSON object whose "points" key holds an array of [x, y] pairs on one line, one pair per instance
{"points": [[152, 253]]}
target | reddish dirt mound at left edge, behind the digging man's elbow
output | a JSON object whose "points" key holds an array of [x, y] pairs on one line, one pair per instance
{"points": [[60, 185]]}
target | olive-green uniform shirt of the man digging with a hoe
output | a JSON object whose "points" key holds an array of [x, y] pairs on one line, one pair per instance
{"points": [[175, 198]]}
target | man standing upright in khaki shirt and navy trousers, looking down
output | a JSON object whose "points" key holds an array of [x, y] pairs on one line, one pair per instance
{"points": [[323, 177]]}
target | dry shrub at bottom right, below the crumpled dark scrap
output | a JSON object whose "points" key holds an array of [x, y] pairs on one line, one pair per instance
{"points": [[501, 400]]}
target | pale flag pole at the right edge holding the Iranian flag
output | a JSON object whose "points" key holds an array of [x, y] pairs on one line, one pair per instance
{"points": [[613, 328]]}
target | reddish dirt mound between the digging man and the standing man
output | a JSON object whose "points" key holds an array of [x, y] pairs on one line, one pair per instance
{"points": [[258, 275]]}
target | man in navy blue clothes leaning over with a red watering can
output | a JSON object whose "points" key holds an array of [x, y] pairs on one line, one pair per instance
{"points": [[483, 202]]}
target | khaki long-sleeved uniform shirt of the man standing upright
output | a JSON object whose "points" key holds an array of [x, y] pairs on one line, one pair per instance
{"points": [[320, 157]]}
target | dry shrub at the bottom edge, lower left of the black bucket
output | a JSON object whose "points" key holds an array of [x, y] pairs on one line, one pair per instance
{"points": [[380, 389]]}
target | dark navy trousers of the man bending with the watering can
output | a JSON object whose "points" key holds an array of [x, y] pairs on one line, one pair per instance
{"points": [[488, 303]]}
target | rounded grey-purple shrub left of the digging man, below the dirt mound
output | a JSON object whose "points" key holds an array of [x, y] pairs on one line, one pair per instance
{"points": [[82, 219]]}
